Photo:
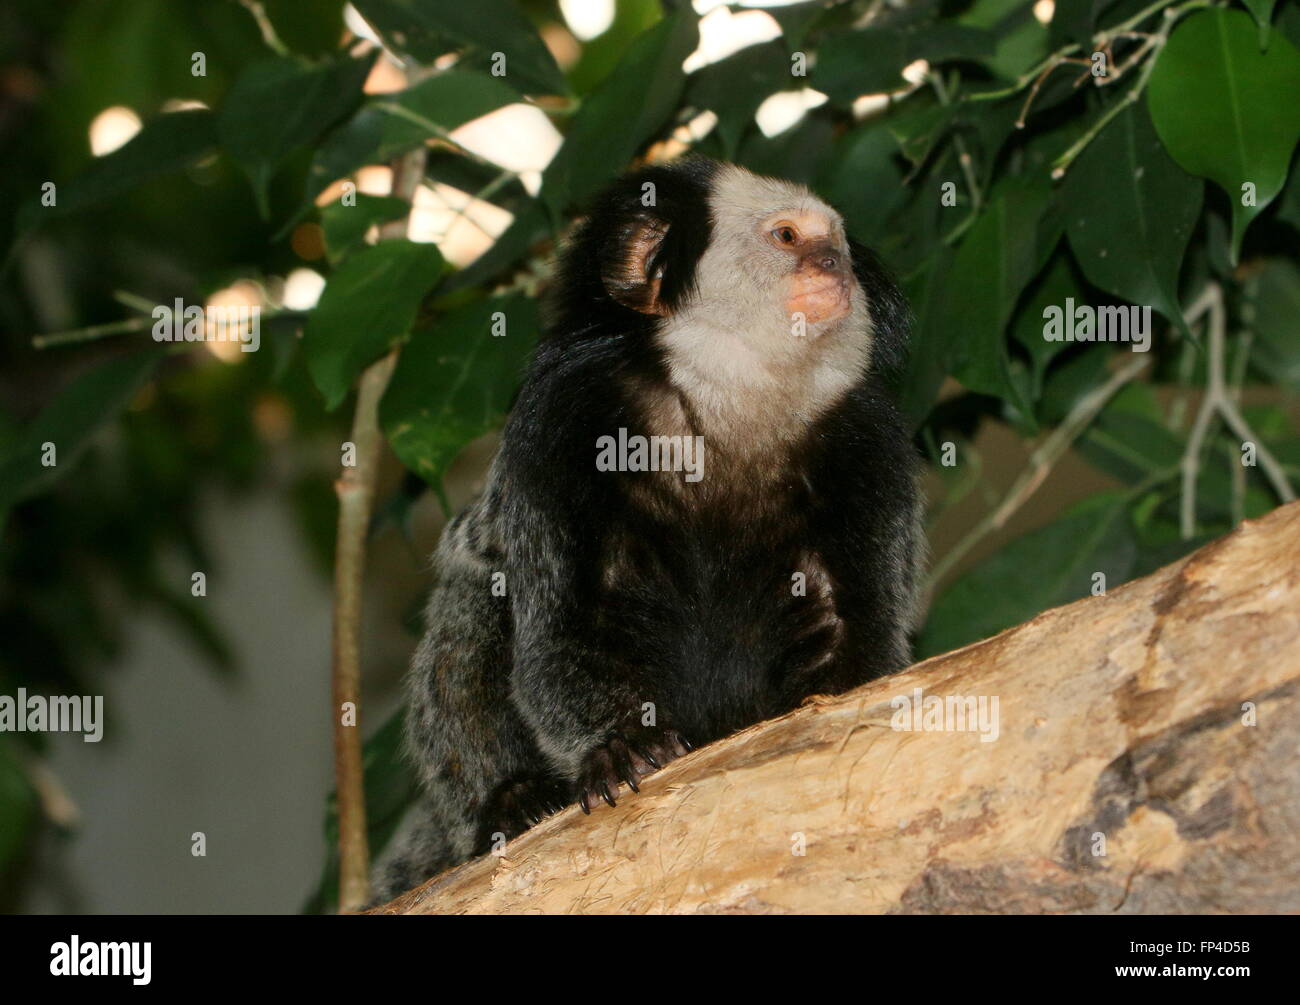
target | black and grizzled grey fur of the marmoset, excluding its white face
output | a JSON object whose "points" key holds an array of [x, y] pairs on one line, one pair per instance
{"points": [[622, 591]]}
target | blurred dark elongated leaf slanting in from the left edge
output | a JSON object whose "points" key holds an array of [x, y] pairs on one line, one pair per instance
{"points": [[70, 422]]}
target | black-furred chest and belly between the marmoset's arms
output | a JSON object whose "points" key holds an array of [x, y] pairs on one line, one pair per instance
{"points": [[721, 601]]}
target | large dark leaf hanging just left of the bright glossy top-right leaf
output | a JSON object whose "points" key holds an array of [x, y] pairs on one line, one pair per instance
{"points": [[1130, 213]]}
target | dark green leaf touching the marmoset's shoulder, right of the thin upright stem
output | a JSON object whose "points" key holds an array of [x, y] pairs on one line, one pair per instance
{"points": [[456, 382]]}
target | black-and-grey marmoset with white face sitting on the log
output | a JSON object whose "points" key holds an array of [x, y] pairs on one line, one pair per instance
{"points": [[704, 510]]}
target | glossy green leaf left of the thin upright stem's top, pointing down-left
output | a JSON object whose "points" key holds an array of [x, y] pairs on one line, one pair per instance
{"points": [[370, 302]]}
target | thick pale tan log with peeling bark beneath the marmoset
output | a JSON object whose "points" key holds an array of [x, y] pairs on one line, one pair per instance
{"points": [[1123, 720]]}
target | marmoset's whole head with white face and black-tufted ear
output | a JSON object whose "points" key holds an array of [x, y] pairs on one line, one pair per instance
{"points": [[748, 281]]}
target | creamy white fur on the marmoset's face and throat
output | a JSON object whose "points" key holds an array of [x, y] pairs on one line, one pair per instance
{"points": [[734, 348]]}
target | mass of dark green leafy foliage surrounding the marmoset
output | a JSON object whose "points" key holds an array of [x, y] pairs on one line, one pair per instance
{"points": [[1000, 187]]}
